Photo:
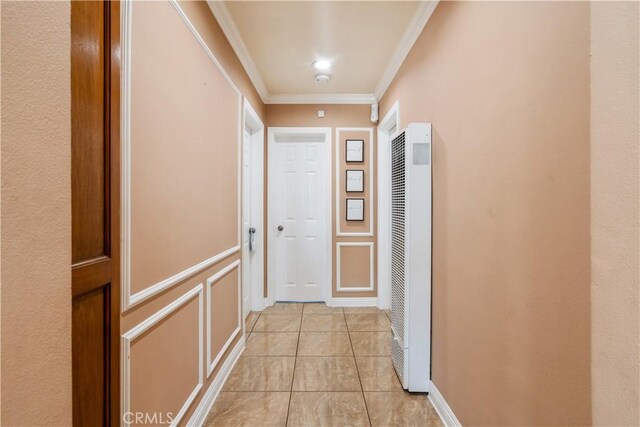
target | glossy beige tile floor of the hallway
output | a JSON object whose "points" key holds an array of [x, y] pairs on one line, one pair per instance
{"points": [[313, 365]]}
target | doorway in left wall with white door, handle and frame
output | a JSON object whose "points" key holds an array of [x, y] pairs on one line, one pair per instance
{"points": [[252, 211]]}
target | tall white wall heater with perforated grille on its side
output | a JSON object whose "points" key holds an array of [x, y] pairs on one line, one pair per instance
{"points": [[411, 255]]}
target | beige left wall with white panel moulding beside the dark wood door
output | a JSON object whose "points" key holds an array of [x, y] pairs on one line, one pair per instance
{"points": [[185, 119]]}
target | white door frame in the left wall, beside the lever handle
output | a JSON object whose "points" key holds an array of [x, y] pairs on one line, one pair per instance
{"points": [[251, 121]]}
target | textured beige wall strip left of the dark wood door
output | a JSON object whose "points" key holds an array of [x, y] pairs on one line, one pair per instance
{"points": [[36, 214]]}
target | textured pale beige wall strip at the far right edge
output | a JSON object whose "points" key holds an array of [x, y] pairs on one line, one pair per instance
{"points": [[614, 213]]}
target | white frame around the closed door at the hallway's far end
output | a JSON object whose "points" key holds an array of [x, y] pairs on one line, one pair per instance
{"points": [[310, 134]]}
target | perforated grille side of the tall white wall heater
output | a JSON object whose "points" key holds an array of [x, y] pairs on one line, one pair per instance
{"points": [[398, 164]]}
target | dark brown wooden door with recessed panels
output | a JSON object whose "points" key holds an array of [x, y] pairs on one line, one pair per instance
{"points": [[95, 173]]}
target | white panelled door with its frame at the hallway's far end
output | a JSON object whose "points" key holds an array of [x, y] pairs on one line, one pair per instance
{"points": [[299, 258]]}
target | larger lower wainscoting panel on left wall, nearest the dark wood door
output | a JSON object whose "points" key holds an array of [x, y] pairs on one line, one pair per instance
{"points": [[156, 376]]}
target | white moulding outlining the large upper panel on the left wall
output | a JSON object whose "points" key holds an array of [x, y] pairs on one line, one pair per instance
{"points": [[127, 299]]}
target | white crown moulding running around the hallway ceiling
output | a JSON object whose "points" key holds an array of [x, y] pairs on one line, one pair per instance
{"points": [[413, 31]]}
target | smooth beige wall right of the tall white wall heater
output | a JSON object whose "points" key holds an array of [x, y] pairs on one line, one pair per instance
{"points": [[506, 87]]}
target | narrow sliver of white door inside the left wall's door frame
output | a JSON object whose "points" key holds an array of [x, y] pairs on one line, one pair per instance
{"points": [[246, 223]]}
